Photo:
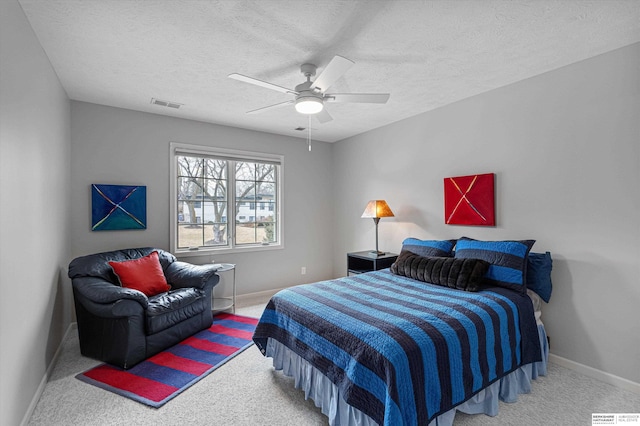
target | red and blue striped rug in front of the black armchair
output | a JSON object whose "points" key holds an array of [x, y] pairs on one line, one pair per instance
{"points": [[165, 375]]}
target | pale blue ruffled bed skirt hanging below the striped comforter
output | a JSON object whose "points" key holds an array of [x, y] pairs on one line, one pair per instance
{"points": [[327, 397]]}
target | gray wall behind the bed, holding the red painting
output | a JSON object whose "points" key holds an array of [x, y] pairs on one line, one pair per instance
{"points": [[565, 150]]}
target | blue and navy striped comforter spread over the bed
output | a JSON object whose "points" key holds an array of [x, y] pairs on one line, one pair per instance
{"points": [[403, 351]]}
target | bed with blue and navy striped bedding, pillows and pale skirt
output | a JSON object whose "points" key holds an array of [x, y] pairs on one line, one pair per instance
{"points": [[410, 345]]}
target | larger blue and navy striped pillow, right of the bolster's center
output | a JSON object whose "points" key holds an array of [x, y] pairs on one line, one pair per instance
{"points": [[508, 260]]}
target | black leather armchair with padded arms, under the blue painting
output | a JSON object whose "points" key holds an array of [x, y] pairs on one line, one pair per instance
{"points": [[123, 326]]}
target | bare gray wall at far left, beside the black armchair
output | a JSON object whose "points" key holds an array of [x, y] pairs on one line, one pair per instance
{"points": [[34, 159]]}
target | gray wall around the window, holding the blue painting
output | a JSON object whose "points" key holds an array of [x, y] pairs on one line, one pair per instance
{"points": [[118, 146]]}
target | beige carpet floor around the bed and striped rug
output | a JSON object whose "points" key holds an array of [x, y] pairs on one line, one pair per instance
{"points": [[247, 391]]}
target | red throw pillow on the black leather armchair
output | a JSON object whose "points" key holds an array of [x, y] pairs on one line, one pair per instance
{"points": [[144, 274]]}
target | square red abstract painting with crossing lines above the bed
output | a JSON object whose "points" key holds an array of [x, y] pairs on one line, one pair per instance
{"points": [[469, 200]]}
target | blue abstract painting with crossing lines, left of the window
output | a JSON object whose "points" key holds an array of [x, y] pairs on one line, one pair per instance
{"points": [[118, 207]]}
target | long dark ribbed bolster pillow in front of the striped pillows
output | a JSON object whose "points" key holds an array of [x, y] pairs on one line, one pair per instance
{"points": [[461, 274]]}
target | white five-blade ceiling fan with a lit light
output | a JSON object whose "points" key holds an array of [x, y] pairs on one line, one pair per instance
{"points": [[310, 96]]}
